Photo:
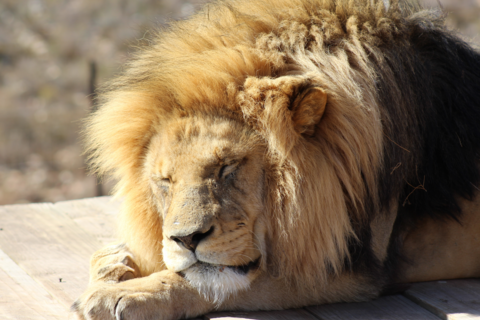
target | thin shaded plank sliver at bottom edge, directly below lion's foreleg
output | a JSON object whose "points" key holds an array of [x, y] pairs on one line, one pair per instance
{"points": [[292, 314]]}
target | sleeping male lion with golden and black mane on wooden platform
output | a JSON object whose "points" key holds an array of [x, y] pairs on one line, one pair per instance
{"points": [[276, 154]]}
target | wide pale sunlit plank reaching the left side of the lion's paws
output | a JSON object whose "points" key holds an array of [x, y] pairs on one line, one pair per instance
{"points": [[49, 246]]}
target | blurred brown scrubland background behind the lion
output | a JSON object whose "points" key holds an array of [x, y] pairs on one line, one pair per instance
{"points": [[47, 48]]}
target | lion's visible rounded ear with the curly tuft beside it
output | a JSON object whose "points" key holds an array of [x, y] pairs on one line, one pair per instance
{"points": [[282, 109]]}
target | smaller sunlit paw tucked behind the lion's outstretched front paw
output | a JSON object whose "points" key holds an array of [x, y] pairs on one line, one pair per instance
{"points": [[113, 264]]}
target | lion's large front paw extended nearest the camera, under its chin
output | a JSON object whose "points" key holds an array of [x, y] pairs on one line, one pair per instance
{"points": [[160, 296]]}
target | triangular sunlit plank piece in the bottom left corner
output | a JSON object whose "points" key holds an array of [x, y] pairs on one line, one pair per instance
{"points": [[23, 298]]}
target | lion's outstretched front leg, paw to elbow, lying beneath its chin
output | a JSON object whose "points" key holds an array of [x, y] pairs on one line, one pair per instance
{"points": [[167, 295]]}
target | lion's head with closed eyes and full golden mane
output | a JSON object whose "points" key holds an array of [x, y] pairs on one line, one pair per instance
{"points": [[253, 138]]}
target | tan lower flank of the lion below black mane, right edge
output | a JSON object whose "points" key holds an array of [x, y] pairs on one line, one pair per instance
{"points": [[439, 249]]}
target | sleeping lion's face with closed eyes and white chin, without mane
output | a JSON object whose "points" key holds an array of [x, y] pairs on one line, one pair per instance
{"points": [[207, 178]]}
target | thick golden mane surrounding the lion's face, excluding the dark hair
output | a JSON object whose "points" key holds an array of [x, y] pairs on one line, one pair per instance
{"points": [[244, 60]]}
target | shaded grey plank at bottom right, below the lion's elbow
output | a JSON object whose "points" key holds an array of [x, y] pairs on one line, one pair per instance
{"points": [[390, 307]]}
